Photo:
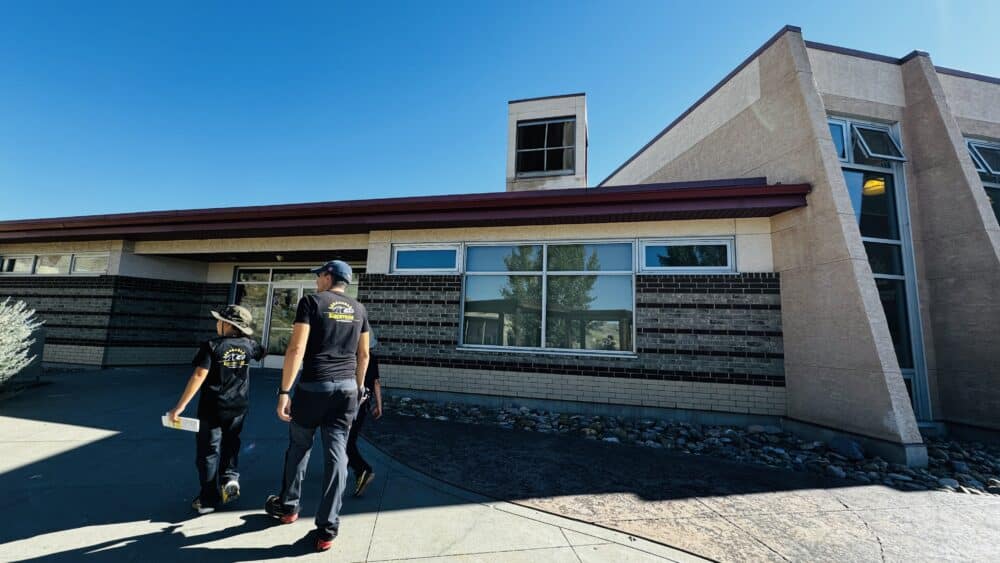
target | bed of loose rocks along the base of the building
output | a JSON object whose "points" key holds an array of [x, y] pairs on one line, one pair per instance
{"points": [[962, 467]]}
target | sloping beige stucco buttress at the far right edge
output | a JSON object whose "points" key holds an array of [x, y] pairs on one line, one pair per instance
{"points": [[957, 247]]}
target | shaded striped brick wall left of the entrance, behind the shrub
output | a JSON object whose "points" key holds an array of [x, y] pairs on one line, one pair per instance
{"points": [[118, 320]]}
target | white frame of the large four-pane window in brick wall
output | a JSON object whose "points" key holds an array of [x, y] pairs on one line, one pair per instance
{"points": [[544, 274]]}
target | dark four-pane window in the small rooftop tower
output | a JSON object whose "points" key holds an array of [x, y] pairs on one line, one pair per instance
{"points": [[546, 147]]}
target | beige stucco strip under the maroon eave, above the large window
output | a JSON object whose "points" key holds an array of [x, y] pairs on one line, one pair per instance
{"points": [[752, 236]]}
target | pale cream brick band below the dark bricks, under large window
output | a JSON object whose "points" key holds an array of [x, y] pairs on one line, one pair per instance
{"points": [[718, 397]]}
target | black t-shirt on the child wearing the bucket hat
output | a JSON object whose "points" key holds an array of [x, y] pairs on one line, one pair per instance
{"points": [[226, 391]]}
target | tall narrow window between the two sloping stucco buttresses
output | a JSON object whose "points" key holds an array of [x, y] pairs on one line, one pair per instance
{"points": [[872, 156]]}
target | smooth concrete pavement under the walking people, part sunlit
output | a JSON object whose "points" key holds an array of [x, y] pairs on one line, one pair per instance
{"points": [[88, 474]]}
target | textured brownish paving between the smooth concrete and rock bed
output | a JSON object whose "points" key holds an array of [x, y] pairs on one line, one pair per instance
{"points": [[715, 508]]}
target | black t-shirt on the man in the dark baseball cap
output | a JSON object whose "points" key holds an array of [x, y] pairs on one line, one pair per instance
{"points": [[336, 322]]}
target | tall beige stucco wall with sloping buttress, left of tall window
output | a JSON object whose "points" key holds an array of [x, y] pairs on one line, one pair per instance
{"points": [[840, 366]]}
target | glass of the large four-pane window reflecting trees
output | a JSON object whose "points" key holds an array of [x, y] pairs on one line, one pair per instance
{"points": [[558, 296]]}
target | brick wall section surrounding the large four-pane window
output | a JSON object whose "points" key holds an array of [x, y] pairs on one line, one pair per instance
{"points": [[721, 332]]}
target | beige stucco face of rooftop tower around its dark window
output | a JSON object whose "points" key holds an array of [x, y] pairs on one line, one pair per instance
{"points": [[575, 106]]}
